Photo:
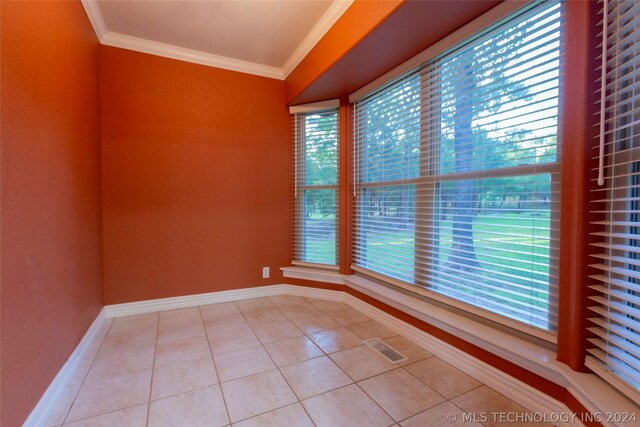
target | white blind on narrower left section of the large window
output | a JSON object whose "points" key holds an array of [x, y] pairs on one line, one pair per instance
{"points": [[387, 167]]}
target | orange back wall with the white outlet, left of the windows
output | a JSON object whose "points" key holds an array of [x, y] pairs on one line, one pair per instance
{"points": [[197, 177]]}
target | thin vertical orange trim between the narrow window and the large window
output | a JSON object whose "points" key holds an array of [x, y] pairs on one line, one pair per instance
{"points": [[346, 199]]}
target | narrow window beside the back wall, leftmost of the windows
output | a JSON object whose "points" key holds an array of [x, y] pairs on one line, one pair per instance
{"points": [[316, 187]]}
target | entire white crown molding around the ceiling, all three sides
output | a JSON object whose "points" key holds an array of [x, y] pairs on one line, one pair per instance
{"points": [[110, 38]]}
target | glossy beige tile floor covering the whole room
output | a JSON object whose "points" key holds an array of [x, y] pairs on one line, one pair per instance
{"points": [[276, 361]]}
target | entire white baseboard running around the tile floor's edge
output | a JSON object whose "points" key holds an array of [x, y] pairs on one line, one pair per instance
{"points": [[518, 391]]}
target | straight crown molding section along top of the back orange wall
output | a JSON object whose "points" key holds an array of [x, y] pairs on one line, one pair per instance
{"points": [[174, 52]]}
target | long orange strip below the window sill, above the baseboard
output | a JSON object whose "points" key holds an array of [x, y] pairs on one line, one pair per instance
{"points": [[536, 381]]}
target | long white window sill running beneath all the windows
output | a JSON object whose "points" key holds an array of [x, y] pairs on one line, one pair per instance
{"points": [[594, 393]]}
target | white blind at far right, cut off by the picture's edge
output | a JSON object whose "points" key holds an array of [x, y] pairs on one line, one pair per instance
{"points": [[615, 325]]}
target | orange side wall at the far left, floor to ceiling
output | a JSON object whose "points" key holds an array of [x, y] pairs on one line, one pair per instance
{"points": [[50, 195]]}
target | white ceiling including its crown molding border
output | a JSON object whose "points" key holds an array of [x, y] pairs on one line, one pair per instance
{"points": [[264, 37]]}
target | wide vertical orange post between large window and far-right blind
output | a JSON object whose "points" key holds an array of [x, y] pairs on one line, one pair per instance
{"points": [[578, 136]]}
